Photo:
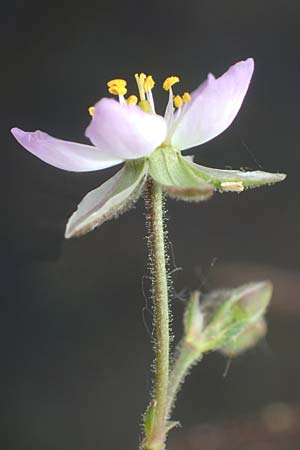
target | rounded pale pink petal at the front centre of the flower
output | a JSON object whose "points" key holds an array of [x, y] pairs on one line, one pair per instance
{"points": [[125, 131]]}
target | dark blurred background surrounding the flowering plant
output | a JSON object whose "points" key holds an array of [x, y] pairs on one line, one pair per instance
{"points": [[75, 351]]}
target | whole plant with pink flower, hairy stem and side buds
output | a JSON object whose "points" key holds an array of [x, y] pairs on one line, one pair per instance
{"points": [[129, 131]]}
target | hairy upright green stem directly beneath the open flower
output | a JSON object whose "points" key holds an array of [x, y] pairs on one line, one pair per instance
{"points": [[155, 440]]}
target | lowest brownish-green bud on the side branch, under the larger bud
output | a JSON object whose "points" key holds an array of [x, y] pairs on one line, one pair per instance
{"points": [[245, 340]]}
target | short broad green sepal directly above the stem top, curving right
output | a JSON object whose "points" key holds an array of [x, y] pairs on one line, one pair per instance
{"points": [[176, 176]]}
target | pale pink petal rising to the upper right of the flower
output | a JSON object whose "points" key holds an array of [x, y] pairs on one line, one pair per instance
{"points": [[214, 105]]}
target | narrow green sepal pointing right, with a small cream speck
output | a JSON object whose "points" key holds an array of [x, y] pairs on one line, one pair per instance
{"points": [[235, 180]]}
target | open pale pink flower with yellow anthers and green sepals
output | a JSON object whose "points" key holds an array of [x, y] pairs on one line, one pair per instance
{"points": [[150, 145]]}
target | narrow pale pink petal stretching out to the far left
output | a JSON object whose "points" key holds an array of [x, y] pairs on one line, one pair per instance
{"points": [[63, 154]]}
